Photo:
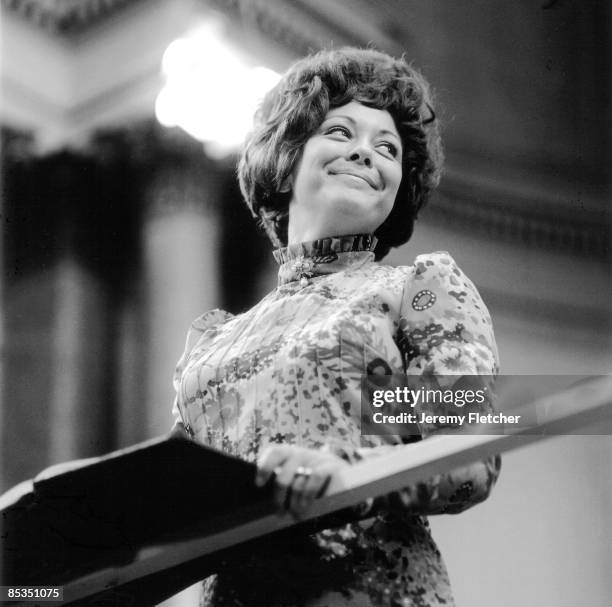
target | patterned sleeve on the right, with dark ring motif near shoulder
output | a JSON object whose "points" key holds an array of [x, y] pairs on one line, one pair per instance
{"points": [[445, 330]]}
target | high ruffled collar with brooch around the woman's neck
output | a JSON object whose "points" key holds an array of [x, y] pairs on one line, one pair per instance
{"points": [[305, 260]]}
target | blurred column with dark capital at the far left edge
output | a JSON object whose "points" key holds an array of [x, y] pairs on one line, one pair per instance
{"points": [[58, 345]]}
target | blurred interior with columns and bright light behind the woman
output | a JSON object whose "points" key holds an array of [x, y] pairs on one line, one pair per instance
{"points": [[123, 221]]}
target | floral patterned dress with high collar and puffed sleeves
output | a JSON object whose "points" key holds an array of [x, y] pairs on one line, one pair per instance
{"points": [[289, 371]]}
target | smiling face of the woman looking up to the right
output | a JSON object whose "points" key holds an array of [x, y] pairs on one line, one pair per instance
{"points": [[347, 176]]}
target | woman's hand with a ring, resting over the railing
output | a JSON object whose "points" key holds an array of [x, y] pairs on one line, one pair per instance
{"points": [[301, 475]]}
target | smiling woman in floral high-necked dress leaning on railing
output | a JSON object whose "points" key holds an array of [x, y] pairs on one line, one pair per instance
{"points": [[344, 152]]}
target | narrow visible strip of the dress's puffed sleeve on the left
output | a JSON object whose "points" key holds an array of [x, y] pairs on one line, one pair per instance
{"points": [[206, 323]]}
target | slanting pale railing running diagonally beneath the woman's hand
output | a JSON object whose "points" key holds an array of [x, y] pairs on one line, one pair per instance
{"points": [[161, 570]]}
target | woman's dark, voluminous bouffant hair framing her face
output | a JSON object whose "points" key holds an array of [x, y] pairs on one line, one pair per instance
{"points": [[296, 107]]}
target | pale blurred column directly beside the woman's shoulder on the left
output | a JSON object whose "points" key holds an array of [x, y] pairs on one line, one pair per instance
{"points": [[181, 249]]}
